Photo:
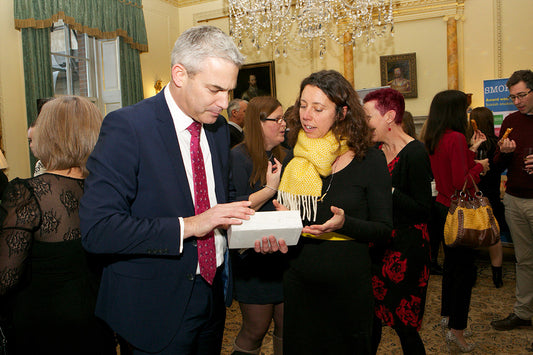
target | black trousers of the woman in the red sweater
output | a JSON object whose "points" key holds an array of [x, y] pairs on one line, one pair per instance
{"points": [[457, 281]]}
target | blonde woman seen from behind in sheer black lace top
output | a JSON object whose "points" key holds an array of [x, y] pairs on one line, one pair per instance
{"points": [[46, 275]]}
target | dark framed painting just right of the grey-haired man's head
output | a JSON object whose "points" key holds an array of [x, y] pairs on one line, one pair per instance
{"points": [[257, 79]]}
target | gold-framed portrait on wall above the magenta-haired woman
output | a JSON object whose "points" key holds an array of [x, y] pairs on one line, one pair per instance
{"points": [[399, 72]]}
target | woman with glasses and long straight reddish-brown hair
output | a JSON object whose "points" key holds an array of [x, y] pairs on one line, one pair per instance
{"points": [[256, 171]]}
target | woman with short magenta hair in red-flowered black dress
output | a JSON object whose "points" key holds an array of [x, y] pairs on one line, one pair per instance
{"points": [[401, 268]]}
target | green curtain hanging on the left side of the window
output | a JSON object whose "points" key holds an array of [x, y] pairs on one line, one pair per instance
{"points": [[38, 80]]}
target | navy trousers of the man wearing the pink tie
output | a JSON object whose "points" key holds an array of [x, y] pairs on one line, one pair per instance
{"points": [[202, 327]]}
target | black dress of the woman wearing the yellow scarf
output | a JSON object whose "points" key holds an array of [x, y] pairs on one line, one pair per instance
{"points": [[328, 305]]}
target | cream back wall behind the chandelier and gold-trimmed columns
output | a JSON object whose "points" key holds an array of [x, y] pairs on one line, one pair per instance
{"points": [[477, 35]]}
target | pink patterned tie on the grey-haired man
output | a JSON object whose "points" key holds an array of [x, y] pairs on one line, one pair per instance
{"points": [[206, 244]]}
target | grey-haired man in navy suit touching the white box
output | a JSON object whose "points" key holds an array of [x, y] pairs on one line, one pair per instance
{"points": [[139, 205]]}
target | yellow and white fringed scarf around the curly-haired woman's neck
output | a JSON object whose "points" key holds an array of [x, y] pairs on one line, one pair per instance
{"points": [[301, 185]]}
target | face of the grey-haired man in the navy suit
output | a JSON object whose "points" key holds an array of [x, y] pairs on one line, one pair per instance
{"points": [[204, 95]]}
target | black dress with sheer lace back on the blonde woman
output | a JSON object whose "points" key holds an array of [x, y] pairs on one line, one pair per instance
{"points": [[49, 279]]}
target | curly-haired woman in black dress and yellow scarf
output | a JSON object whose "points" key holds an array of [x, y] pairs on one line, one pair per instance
{"points": [[341, 186]]}
